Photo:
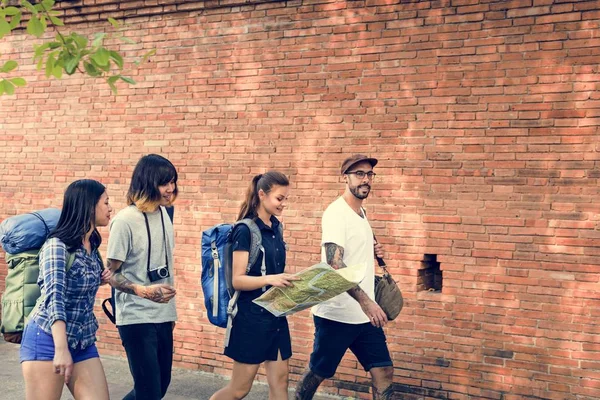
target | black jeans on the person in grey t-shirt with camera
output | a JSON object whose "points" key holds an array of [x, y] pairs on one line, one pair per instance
{"points": [[149, 349]]}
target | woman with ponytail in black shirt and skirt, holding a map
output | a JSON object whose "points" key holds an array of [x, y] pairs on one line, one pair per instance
{"points": [[257, 336]]}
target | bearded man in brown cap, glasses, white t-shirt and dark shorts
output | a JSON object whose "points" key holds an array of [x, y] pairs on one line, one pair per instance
{"points": [[352, 320]]}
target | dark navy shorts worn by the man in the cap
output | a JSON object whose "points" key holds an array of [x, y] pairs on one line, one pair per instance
{"points": [[333, 338]]}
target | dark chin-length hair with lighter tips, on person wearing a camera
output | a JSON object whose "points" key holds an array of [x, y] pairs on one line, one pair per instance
{"points": [[150, 172]]}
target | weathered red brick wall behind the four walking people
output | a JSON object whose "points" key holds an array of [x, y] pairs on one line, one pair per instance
{"points": [[484, 115]]}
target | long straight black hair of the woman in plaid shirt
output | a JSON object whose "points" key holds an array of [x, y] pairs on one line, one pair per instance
{"points": [[78, 214]]}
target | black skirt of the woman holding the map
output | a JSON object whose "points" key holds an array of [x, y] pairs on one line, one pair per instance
{"points": [[258, 336]]}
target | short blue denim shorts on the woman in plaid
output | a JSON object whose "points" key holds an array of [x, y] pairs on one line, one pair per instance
{"points": [[37, 345]]}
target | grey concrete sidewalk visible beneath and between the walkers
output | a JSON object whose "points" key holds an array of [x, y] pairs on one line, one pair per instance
{"points": [[185, 384]]}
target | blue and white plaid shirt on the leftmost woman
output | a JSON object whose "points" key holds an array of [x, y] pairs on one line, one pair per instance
{"points": [[70, 296]]}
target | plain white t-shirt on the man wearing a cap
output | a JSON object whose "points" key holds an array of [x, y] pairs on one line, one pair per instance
{"points": [[344, 227]]}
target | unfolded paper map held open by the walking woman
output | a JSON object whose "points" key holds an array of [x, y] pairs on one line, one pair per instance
{"points": [[316, 284]]}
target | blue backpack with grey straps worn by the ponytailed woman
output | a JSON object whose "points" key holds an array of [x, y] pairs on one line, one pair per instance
{"points": [[220, 298]]}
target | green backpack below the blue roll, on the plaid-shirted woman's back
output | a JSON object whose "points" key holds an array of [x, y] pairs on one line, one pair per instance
{"points": [[21, 292]]}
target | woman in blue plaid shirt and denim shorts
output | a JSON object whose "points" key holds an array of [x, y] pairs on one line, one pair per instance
{"points": [[58, 345]]}
